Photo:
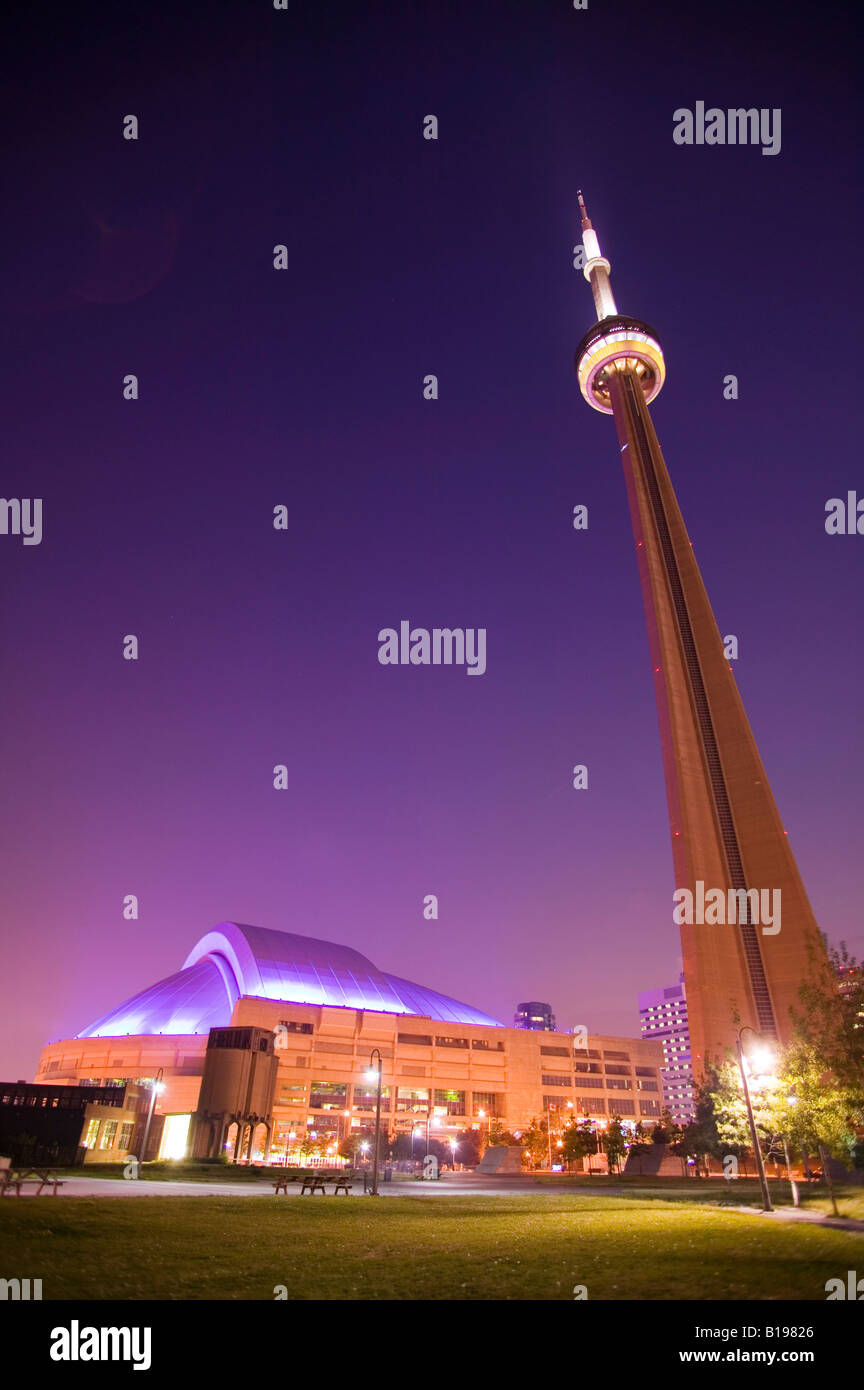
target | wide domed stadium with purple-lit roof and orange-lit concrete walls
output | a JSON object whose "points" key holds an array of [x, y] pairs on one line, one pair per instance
{"points": [[262, 1049]]}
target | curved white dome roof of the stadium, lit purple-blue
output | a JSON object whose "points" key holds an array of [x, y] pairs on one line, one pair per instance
{"points": [[237, 960]]}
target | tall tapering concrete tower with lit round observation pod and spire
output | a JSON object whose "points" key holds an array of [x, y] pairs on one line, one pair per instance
{"points": [[727, 833]]}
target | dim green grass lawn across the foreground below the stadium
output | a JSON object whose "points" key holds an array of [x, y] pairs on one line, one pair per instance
{"points": [[415, 1249]]}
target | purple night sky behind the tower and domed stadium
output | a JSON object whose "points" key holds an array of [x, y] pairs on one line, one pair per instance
{"points": [[305, 389]]}
